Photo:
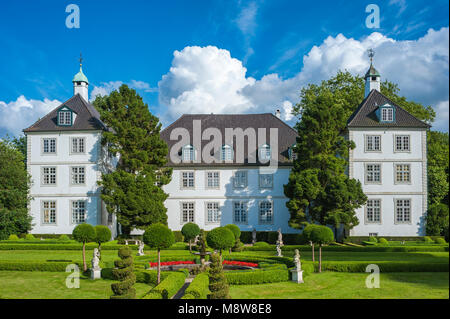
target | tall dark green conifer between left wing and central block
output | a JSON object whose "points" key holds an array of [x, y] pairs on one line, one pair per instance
{"points": [[133, 191]]}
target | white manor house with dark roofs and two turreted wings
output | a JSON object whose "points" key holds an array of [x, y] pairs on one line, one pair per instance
{"points": [[65, 160]]}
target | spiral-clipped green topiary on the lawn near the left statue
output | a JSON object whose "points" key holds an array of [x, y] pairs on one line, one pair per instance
{"points": [[124, 273]]}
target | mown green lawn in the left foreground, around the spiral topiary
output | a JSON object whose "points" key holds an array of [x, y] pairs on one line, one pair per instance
{"points": [[52, 285]]}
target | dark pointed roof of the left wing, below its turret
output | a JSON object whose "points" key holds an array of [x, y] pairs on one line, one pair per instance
{"points": [[87, 118]]}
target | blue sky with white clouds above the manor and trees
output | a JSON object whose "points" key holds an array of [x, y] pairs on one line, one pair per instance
{"points": [[233, 56]]}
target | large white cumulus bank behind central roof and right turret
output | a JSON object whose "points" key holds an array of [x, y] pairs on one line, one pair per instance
{"points": [[208, 79]]}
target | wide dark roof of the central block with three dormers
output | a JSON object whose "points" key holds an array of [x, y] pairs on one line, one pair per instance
{"points": [[286, 135]]}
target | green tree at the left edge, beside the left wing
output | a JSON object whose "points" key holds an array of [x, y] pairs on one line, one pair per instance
{"points": [[14, 191]]}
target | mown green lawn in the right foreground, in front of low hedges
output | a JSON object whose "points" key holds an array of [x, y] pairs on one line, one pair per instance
{"points": [[331, 285]]}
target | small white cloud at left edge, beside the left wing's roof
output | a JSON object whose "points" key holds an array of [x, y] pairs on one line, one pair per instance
{"points": [[21, 113]]}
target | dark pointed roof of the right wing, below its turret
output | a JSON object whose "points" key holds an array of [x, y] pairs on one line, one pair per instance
{"points": [[364, 116]]}
